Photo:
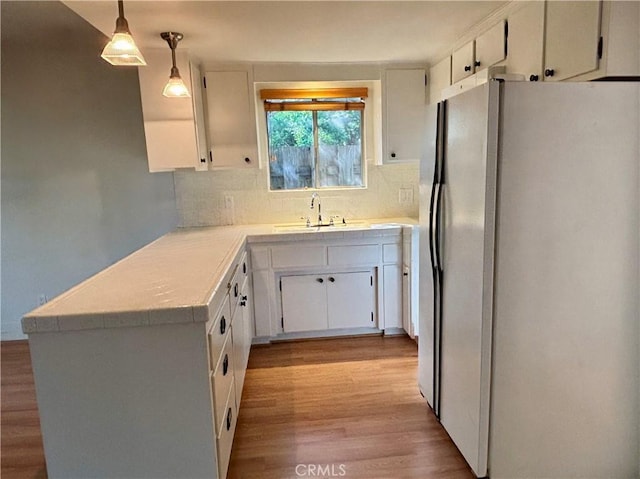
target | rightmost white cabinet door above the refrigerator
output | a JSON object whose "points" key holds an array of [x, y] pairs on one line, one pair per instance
{"points": [[571, 39]]}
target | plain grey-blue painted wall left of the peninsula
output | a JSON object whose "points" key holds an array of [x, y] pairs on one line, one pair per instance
{"points": [[76, 192]]}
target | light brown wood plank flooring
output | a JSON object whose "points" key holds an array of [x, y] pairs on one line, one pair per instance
{"points": [[348, 403]]}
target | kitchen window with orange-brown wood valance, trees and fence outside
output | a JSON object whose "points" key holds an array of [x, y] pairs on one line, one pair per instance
{"points": [[315, 137]]}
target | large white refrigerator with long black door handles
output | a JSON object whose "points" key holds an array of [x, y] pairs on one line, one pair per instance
{"points": [[529, 277]]}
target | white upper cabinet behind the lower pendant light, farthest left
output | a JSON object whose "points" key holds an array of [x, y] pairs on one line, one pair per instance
{"points": [[174, 131]]}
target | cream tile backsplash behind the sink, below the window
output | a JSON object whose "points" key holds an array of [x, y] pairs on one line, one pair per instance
{"points": [[226, 197]]}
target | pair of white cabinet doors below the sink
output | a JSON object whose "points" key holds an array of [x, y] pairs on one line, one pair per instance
{"points": [[315, 302]]}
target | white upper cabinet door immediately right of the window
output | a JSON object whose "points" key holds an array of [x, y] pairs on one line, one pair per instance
{"points": [[405, 93]]}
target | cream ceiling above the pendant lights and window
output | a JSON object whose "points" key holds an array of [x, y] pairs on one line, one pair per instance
{"points": [[296, 31]]}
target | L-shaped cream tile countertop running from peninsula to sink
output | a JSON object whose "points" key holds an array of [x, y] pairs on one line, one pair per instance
{"points": [[171, 280]]}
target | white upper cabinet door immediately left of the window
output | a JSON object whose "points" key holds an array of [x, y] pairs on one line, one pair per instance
{"points": [[232, 126]]}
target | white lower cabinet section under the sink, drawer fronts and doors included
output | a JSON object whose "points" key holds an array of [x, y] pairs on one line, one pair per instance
{"points": [[330, 281]]}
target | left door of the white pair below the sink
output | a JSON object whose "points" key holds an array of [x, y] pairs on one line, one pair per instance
{"points": [[304, 303]]}
